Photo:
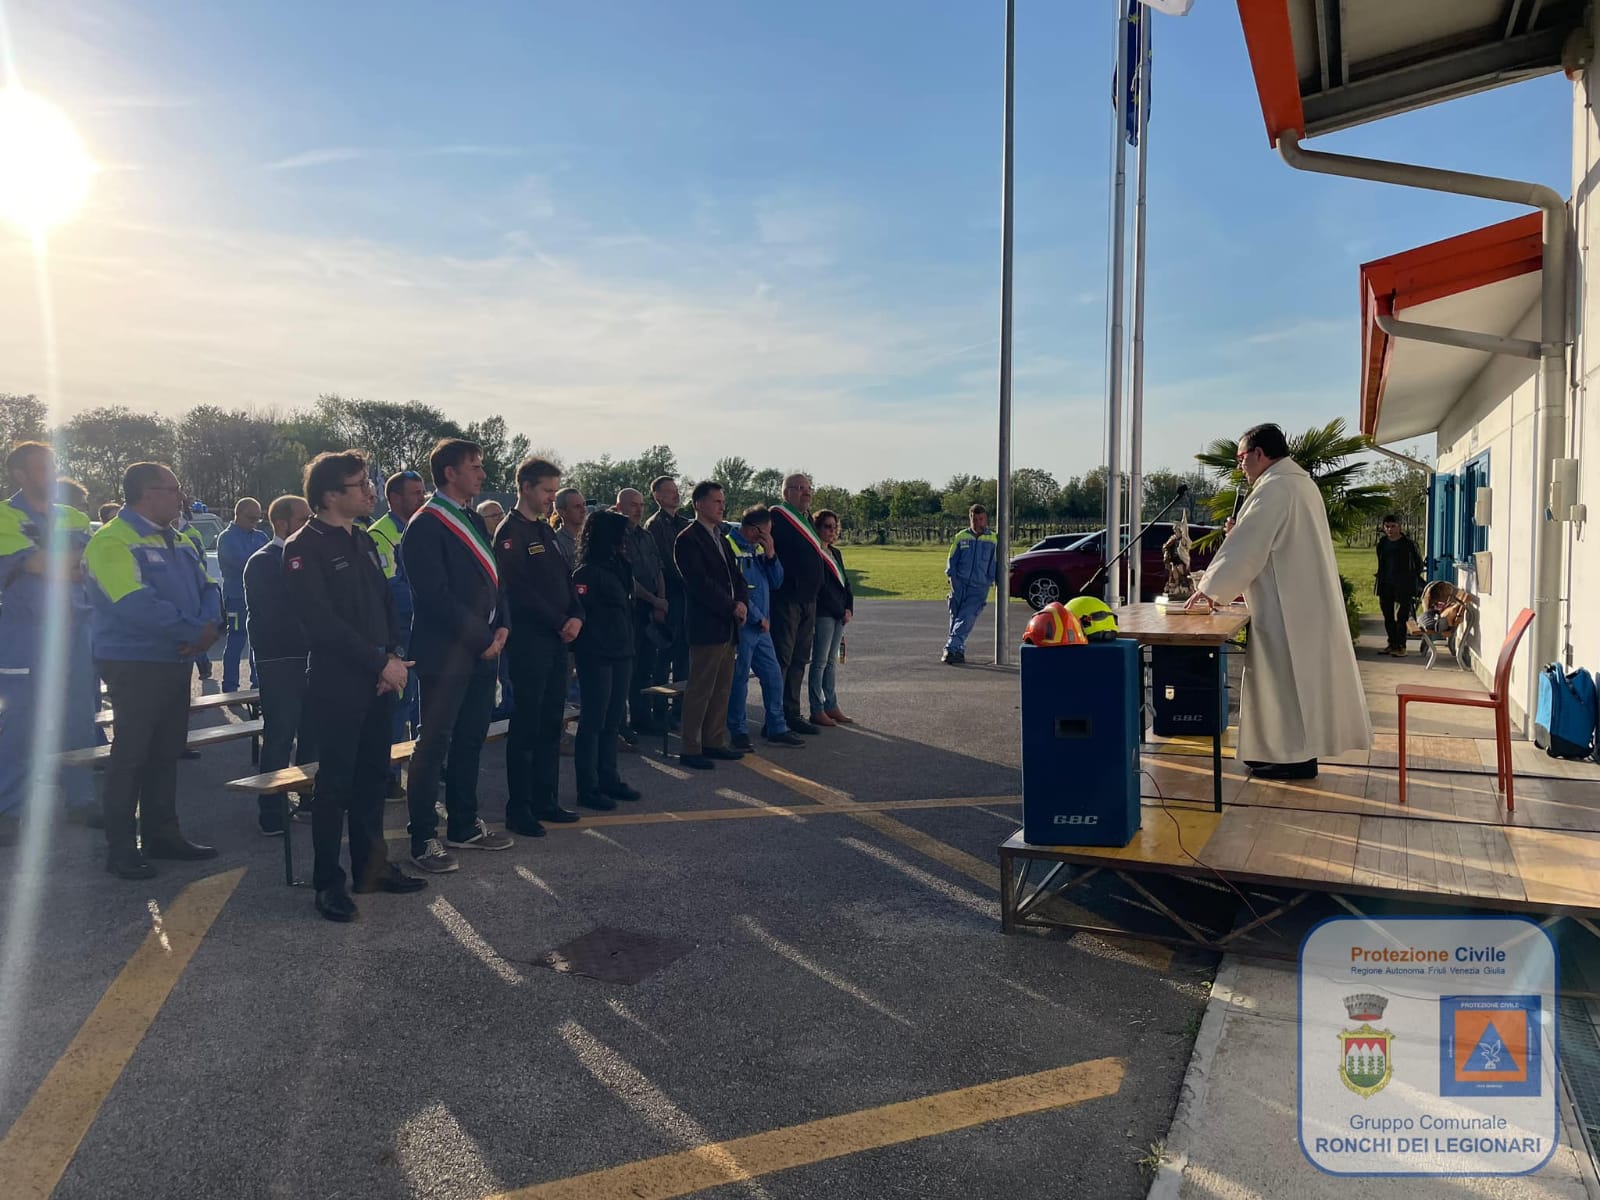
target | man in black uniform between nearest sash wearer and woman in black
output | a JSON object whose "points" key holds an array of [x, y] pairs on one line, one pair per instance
{"points": [[545, 620]]}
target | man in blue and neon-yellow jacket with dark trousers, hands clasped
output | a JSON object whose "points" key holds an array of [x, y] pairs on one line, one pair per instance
{"points": [[156, 612]]}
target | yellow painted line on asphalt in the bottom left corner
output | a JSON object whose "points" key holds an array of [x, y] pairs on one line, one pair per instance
{"points": [[41, 1145]]}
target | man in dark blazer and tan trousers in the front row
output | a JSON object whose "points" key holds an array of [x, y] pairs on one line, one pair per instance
{"points": [[716, 609]]}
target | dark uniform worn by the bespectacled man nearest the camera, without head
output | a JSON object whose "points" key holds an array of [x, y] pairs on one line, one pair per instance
{"points": [[337, 583]]}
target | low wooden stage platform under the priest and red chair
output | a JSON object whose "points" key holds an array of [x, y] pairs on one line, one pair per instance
{"points": [[1343, 834]]}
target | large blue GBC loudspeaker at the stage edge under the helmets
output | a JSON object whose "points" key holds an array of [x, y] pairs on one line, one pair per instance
{"points": [[1081, 745]]}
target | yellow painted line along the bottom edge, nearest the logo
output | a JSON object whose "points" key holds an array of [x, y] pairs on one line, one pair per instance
{"points": [[762, 1154]]}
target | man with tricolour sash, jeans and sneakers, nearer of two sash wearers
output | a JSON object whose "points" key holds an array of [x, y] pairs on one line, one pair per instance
{"points": [[458, 633]]}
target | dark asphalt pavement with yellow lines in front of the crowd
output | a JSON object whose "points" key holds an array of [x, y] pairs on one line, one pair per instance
{"points": [[702, 972]]}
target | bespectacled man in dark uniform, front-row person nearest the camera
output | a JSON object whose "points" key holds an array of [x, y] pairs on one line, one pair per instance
{"points": [[338, 588]]}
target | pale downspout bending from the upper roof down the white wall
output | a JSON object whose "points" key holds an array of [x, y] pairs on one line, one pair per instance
{"points": [[1551, 409]]}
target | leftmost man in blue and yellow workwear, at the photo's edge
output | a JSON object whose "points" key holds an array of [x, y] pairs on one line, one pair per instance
{"points": [[30, 522]]}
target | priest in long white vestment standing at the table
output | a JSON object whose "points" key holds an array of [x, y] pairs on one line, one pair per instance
{"points": [[1303, 694]]}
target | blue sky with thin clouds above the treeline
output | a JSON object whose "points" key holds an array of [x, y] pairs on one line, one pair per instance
{"points": [[735, 228]]}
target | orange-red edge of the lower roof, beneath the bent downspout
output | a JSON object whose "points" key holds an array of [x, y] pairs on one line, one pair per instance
{"points": [[1431, 273]]}
